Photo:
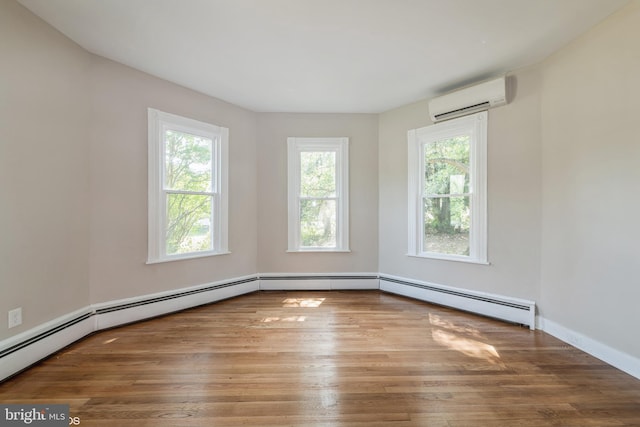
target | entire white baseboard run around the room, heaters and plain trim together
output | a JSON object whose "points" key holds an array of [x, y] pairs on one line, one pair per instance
{"points": [[23, 350]]}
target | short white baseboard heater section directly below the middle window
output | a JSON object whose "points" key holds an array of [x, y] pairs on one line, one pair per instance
{"points": [[307, 282]]}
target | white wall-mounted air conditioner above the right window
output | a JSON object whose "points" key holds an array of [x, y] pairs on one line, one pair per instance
{"points": [[471, 99]]}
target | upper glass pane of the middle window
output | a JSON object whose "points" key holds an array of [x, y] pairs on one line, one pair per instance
{"points": [[318, 174]]}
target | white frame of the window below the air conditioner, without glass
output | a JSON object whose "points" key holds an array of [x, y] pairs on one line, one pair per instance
{"points": [[476, 127]]}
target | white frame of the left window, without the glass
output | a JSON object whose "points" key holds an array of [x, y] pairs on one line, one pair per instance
{"points": [[158, 123]]}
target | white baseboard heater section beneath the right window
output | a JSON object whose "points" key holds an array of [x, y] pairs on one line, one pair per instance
{"points": [[496, 306]]}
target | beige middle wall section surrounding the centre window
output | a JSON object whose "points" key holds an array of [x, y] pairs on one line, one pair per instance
{"points": [[273, 130]]}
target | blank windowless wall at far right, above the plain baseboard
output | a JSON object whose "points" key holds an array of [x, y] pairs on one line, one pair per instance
{"points": [[591, 169]]}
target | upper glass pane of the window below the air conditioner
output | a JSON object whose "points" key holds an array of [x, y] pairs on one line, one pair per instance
{"points": [[446, 166]]}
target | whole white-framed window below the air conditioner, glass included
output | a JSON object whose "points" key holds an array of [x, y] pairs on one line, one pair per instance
{"points": [[447, 190]]}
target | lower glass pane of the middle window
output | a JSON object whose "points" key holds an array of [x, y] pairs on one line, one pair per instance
{"points": [[318, 223]]}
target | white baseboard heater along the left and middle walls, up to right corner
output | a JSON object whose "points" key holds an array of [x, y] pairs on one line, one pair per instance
{"points": [[21, 351]]}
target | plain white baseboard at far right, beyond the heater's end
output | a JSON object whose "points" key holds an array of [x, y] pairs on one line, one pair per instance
{"points": [[609, 355]]}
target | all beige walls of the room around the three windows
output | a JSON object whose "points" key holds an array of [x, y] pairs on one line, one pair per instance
{"points": [[563, 174]]}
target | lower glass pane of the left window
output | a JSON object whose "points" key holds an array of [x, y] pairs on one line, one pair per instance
{"points": [[189, 223]]}
